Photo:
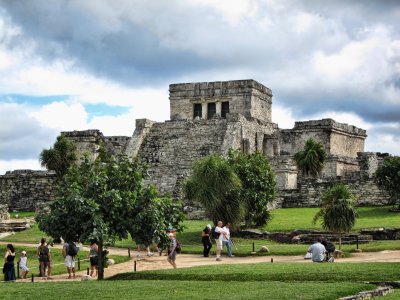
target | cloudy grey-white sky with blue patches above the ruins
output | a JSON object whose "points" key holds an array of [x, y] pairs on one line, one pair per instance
{"points": [[75, 65]]}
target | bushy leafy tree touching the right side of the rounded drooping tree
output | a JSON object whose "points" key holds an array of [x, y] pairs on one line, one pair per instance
{"points": [[258, 185]]}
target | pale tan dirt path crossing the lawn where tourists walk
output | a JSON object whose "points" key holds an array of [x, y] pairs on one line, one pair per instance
{"points": [[157, 262]]}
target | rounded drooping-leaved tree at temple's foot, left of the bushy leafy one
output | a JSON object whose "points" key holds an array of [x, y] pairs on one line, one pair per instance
{"points": [[215, 185]]}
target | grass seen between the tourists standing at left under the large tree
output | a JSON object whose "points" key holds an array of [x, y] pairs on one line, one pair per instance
{"points": [[58, 266]]}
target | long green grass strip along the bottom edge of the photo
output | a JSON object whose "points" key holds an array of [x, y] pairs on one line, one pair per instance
{"points": [[162, 290]]}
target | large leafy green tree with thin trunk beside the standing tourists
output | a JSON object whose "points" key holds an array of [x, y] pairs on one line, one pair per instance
{"points": [[97, 200]]}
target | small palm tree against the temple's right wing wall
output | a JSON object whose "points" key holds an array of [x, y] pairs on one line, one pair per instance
{"points": [[311, 159]]}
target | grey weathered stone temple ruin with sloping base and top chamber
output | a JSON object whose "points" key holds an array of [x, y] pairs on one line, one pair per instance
{"points": [[213, 117]]}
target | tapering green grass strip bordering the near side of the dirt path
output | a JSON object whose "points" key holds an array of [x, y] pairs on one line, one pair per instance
{"points": [[284, 272]]}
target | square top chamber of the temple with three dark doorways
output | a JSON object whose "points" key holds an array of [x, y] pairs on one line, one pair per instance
{"points": [[246, 97]]}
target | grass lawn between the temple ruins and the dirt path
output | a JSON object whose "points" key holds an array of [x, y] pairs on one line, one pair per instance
{"points": [[282, 220]]}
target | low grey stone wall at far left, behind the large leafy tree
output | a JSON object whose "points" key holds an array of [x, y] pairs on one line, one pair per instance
{"points": [[22, 189]]}
